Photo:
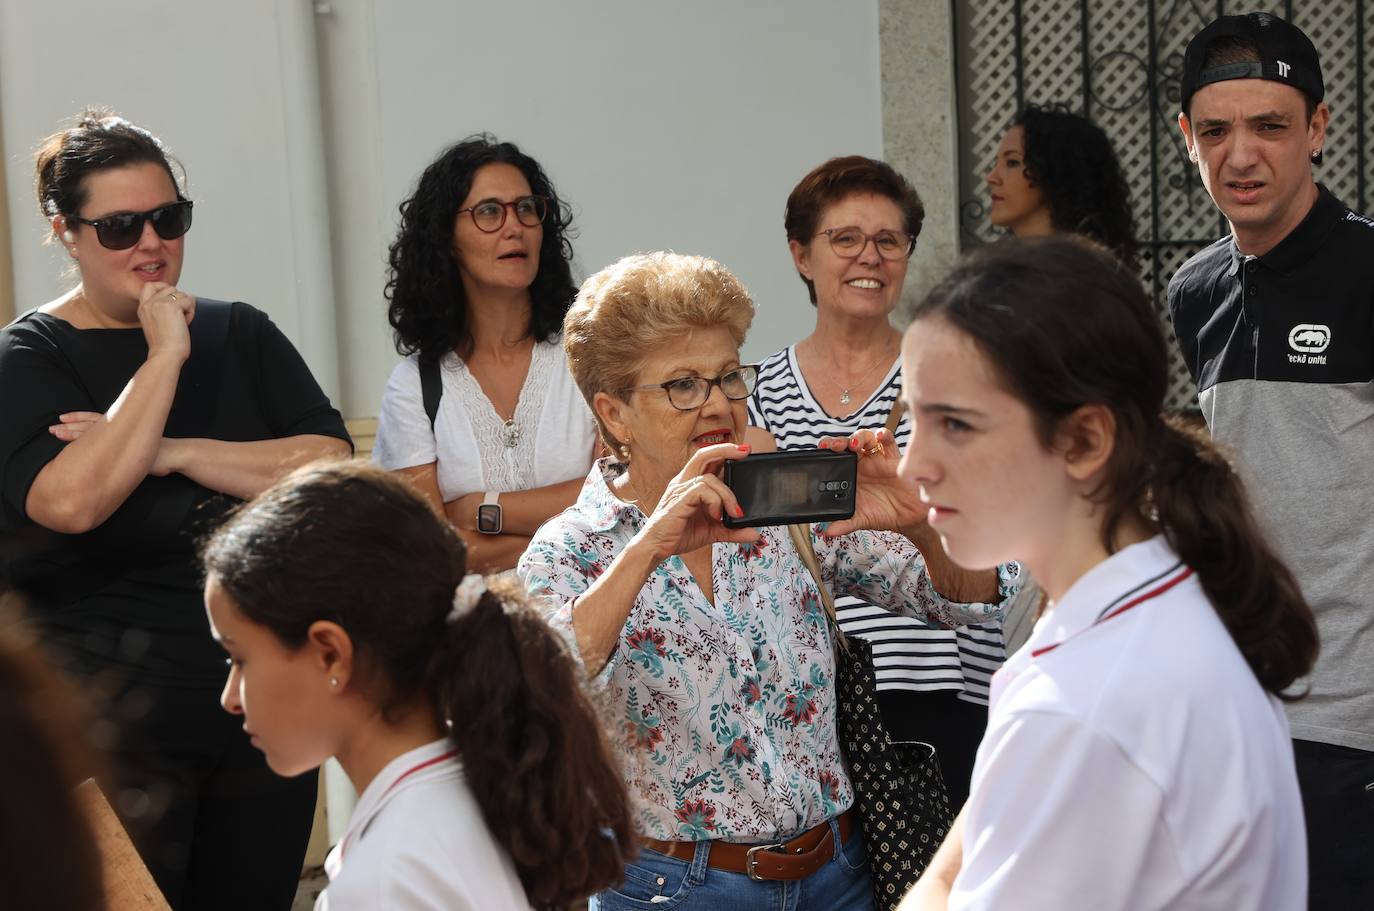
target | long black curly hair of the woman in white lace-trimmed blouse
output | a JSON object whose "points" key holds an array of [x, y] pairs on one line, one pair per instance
{"points": [[428, 306]]}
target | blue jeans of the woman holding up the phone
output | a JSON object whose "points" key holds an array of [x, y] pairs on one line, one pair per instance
{"points": [[657, 883]]}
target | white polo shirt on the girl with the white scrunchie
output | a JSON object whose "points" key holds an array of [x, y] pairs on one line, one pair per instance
{"points": [[418, 843]]}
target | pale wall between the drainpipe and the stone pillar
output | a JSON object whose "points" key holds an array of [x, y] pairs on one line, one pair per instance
{"points": [[667, 124]]}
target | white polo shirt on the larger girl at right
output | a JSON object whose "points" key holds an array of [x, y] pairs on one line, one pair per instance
{"points": [[1133, 761]]}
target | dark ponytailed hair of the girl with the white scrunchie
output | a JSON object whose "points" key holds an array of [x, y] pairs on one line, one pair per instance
{"points": [[311, 549]]}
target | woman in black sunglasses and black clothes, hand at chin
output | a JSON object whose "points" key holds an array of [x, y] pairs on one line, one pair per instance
{"points": [[135, 416]]}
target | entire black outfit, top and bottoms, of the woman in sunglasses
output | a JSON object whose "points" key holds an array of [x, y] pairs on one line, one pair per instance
{"points": [[123, 605]]}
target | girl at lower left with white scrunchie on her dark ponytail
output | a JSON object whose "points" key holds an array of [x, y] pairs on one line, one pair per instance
{"points": [[354, 633]]}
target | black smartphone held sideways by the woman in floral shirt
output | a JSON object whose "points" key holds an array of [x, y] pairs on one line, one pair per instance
{"points": [[795, 487]]}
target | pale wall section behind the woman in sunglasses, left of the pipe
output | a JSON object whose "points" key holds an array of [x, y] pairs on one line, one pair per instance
{"points": [[233, 91]]}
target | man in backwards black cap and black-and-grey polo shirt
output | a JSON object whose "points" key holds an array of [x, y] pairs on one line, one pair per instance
{"points": [[1277, 328]]}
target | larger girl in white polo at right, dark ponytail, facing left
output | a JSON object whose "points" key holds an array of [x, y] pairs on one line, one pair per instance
{"points": [[1137, 754]]}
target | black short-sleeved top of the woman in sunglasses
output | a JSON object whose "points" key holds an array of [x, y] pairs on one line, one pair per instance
{"points": [[128, 594]]}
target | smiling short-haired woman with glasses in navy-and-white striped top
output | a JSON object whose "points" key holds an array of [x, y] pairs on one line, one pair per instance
{"points": [[853, 225]]}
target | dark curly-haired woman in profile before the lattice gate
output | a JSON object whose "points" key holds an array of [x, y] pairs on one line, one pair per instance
{"points": [[1057, 174]]}
